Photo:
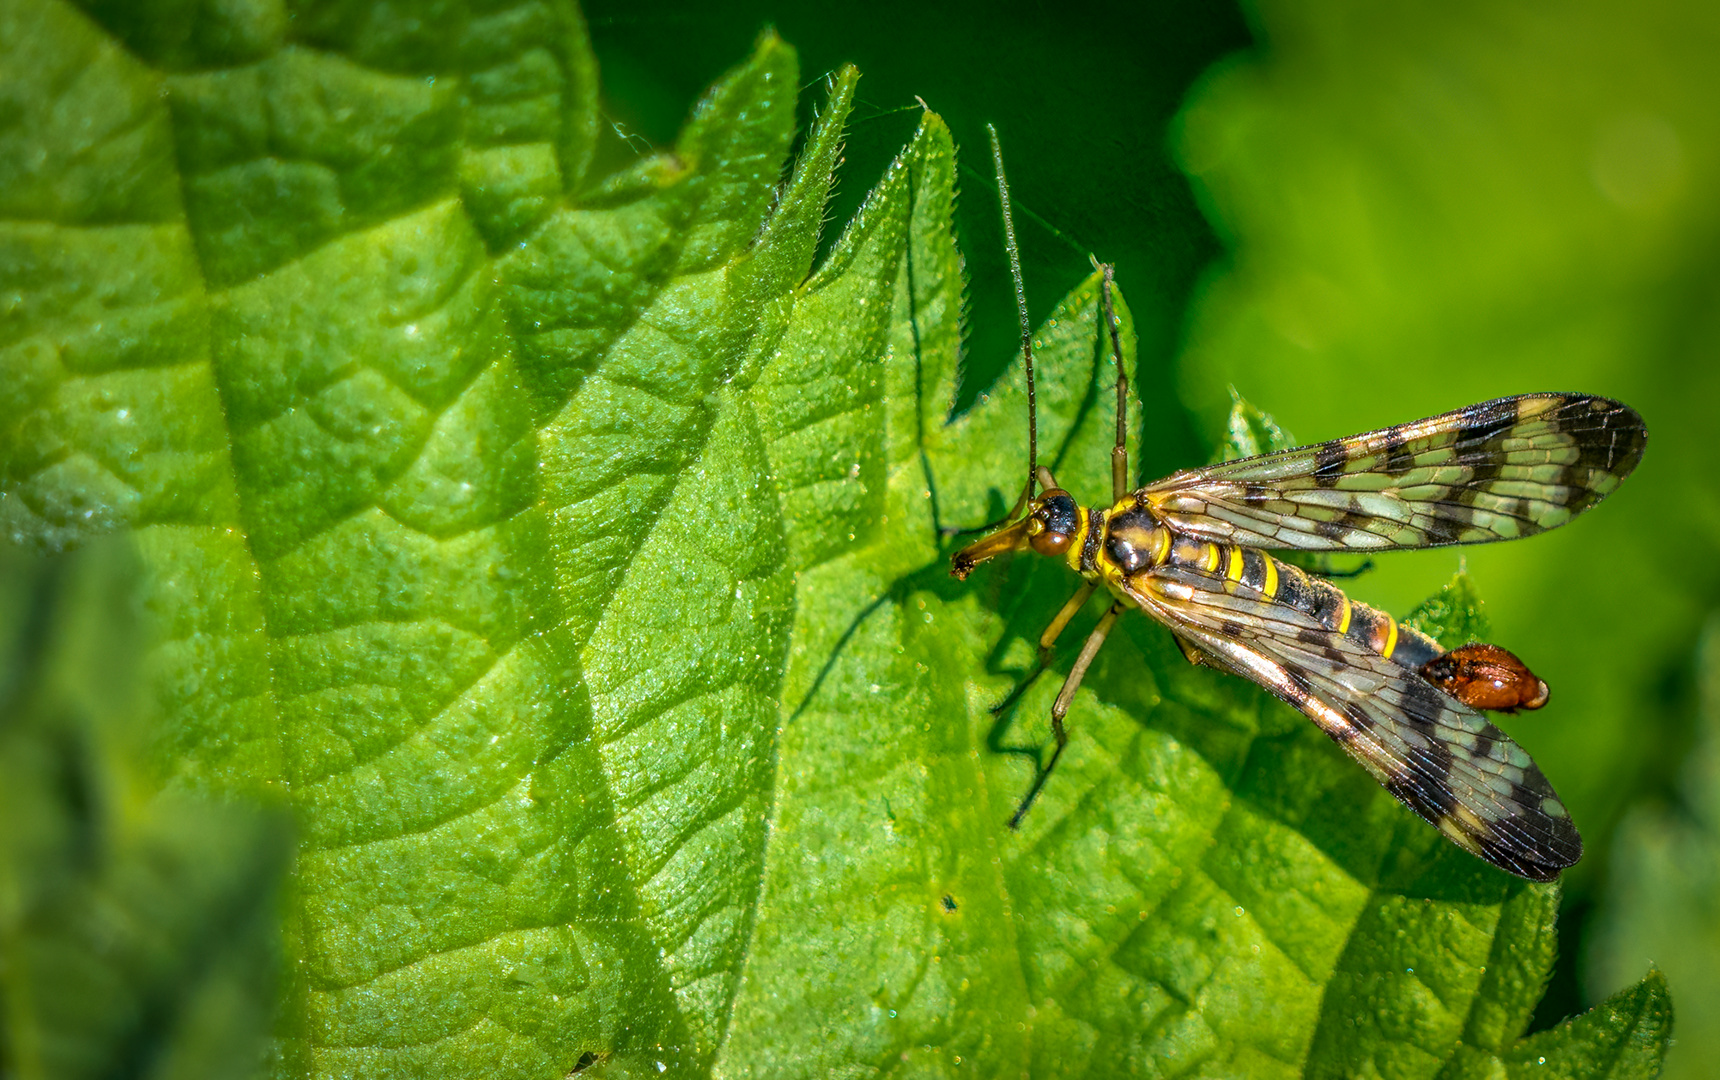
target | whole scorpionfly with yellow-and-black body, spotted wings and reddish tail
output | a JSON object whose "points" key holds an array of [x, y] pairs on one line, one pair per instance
{"points": [[1188, 553]]}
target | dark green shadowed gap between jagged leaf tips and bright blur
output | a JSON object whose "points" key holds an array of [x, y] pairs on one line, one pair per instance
{"points": [[1081, 95]]}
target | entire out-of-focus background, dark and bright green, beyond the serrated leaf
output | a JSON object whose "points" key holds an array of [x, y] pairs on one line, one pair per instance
{"points": [[1356, 216]]}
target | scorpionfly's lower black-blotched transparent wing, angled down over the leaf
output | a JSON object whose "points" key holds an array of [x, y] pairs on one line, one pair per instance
{"points": [[1437, 756]]}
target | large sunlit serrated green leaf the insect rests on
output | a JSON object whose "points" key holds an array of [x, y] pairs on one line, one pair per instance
{"points": [[568, 558]]}
